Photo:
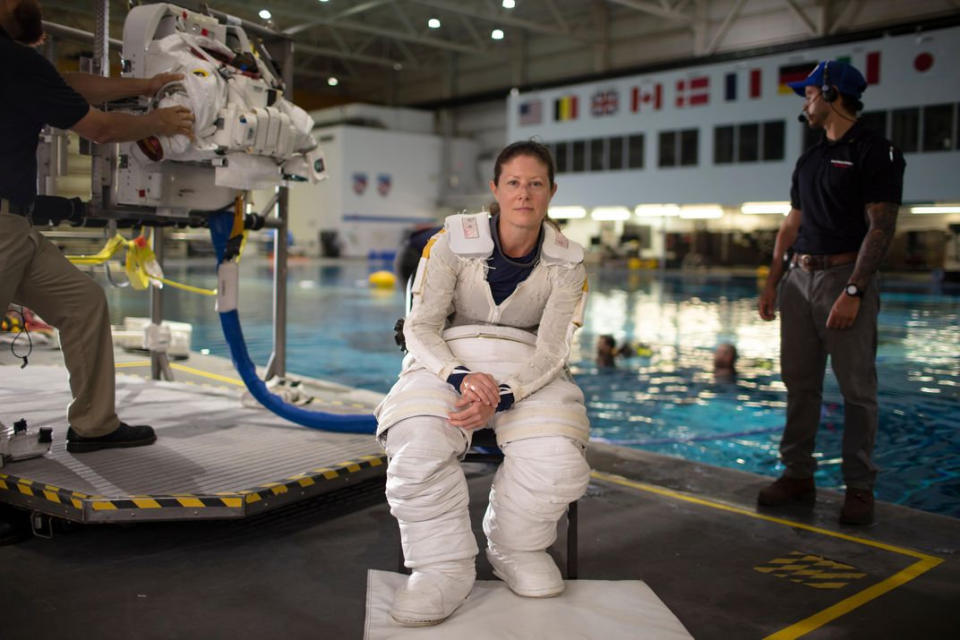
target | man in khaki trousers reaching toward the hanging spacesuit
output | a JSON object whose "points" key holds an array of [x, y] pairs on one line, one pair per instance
{"points": [[32, 271]]}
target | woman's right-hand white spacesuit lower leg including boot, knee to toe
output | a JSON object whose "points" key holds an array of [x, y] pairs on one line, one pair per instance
{"points": [[539, 477]]}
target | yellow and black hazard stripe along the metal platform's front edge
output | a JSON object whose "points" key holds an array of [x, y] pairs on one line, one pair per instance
{"points": [[229, 499]]}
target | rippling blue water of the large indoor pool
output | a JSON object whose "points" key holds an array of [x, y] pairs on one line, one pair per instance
{"points": [[664, 399]]}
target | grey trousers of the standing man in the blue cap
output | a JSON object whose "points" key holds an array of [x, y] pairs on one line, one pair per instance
{"points": [[805, 342]]}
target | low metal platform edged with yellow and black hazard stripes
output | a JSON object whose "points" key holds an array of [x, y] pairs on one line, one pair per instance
{"points": [[214, 458]]}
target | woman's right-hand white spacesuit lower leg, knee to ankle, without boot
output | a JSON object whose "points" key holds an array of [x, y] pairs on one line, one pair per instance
{"points": [[539, 477]]}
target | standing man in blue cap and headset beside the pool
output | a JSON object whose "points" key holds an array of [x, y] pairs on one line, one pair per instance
{"points": [[844, 200]]}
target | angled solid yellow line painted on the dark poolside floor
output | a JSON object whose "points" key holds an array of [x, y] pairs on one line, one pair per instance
{"points": [[925, 562]]}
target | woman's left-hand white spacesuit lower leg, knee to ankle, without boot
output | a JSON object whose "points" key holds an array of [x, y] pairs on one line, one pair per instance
{"points": [[427, 493]]}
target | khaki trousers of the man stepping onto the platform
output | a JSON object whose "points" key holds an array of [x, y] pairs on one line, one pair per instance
{"points": [[35, 274]]}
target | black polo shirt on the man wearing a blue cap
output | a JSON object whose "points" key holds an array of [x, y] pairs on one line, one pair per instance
{"points": [[832, 184]]}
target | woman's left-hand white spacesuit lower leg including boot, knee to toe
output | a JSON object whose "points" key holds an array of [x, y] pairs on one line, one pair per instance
{"points": [[427, 493]]}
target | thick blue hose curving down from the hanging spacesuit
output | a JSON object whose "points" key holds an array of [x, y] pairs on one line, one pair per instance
{"points": [[220, 227]]}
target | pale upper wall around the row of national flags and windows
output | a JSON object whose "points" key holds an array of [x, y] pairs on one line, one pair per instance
{"points": [[930, 176]]}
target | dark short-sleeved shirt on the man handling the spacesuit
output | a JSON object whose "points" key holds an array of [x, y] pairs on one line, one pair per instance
{"points": [[32, 94]]}
